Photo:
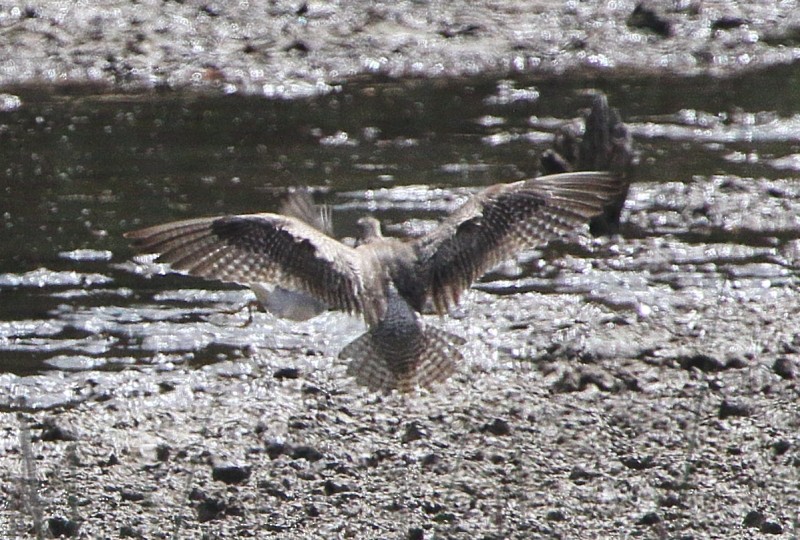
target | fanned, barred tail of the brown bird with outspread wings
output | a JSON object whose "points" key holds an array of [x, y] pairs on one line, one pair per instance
{"points": [[430, 358]]}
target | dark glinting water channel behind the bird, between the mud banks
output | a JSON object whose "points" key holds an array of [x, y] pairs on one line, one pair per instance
{"points": [[718, 185]]}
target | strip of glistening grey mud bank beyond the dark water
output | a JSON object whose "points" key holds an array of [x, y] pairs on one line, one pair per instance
{"points": [[291, 49]]}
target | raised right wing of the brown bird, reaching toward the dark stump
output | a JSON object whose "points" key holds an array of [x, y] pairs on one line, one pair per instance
{"points": [[504, 219]]}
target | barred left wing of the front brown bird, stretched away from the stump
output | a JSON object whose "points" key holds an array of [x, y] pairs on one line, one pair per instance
{"points": [[257, 248]]}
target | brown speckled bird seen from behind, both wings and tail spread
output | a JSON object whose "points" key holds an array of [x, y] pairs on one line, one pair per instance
{"points": [[388, 281]]}
